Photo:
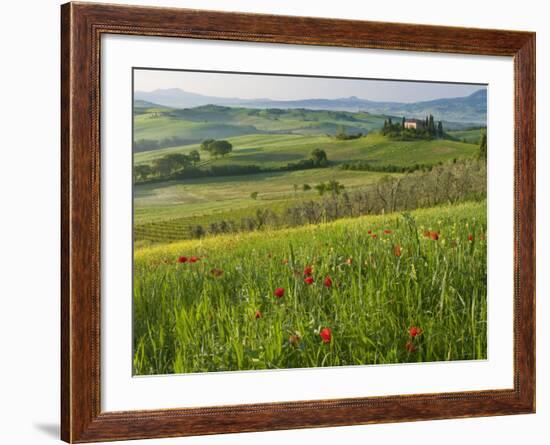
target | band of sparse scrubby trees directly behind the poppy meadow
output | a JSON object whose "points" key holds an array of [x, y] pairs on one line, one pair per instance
{"points": [[449, 183]]}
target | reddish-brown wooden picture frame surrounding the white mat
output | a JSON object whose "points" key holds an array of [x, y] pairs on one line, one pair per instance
{"points": [[82, 26]]}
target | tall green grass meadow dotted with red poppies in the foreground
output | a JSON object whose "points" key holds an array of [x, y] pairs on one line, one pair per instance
{"points": [[218, 311]]}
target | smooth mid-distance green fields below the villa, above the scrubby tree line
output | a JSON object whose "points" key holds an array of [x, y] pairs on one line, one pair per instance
{"points": [[174, 205]]}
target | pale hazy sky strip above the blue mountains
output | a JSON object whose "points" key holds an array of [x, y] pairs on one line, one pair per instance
{"points": [[252, 86]]}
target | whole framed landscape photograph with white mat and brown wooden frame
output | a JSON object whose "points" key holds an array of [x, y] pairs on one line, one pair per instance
{"points": [[275, 222]]}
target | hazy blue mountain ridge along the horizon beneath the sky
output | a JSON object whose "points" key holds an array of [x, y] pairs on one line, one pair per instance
{"points": [[470, 109]]}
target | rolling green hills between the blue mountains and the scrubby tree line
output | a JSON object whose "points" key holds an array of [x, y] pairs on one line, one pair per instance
{"points": [[269, 139]]}
